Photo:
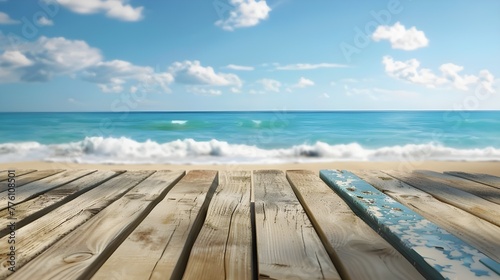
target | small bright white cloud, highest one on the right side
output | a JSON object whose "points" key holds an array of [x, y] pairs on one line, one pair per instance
{"points": [[400, 37]]}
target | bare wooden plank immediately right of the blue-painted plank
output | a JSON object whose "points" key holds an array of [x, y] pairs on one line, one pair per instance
{"points": [[473, 230]]}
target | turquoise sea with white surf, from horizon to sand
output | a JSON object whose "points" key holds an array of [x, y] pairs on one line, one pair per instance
{"points": [[249, 137]]}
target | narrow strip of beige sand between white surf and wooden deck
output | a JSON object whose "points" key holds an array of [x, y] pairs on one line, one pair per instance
{"points": [[486, 167]]}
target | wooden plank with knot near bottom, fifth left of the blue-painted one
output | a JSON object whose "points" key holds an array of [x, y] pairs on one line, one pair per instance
{"points": [[80, 253]]}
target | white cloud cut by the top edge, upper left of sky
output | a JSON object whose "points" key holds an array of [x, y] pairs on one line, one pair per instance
{"points": [[117, 9]]}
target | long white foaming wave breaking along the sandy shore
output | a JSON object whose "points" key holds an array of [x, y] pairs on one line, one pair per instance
{"points": [[125, 150]]}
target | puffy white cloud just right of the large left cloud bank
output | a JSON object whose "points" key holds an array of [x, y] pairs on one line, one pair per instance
{"points": [[192, 72]]}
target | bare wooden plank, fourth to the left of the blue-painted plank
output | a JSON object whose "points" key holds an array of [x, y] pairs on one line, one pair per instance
{"points": [[159, 247]]}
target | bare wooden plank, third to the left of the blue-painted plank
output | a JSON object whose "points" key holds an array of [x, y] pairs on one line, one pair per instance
{"points": [[223, 249]]}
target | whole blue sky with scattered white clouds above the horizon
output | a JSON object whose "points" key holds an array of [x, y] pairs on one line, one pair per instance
{"points": [[229, 55]]}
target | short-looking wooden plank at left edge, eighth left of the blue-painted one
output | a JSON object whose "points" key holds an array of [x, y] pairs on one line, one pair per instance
{"points": [[33, 189]]}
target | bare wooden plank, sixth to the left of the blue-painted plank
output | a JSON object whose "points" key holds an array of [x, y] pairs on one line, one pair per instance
{"points": [[37, 236]]}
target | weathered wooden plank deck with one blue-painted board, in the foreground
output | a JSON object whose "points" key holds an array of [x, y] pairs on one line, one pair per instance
{"points": [[265, 224]]}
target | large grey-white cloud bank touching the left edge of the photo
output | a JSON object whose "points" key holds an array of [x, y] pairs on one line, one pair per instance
{"points": [[45, 58]]}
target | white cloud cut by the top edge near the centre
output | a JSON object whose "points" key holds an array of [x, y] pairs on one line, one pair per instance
{"points": [[245, 13]]}
